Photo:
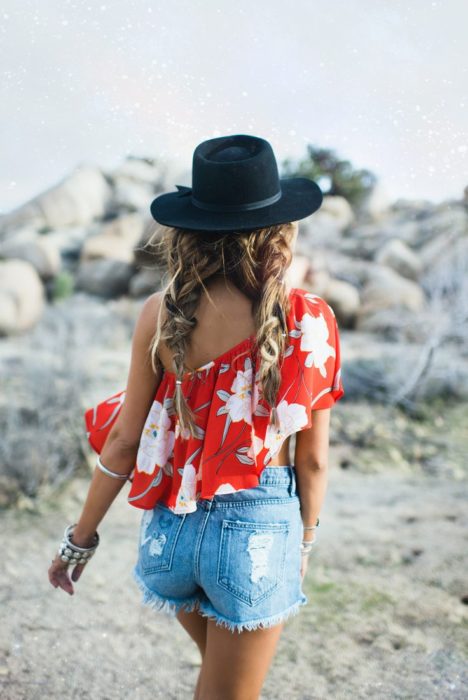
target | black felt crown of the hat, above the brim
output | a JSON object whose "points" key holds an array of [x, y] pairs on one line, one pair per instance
{"points": [[234, 171]]}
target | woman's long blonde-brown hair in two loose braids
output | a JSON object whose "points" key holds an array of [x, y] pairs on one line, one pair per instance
{"points": [[255, 262]]}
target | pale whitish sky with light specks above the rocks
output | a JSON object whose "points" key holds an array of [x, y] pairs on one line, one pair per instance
{"points": [[383, 83]]}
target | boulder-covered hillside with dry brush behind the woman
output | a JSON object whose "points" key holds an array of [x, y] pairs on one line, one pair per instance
{"points": [[74, 272]]}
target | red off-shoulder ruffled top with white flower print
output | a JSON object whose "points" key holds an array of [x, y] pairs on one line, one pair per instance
{"points": [[235, 441]]}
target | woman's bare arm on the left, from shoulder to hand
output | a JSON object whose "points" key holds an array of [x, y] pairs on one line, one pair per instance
{"points": [[121, 446]]}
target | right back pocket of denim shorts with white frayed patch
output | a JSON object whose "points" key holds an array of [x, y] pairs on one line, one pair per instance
{"points": [[252, 558]]}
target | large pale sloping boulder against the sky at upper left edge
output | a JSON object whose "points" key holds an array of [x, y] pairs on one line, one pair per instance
{"points": [[78, 199]]}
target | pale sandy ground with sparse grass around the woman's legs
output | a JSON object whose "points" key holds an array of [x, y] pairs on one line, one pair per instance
{"points": [[387, 617]]}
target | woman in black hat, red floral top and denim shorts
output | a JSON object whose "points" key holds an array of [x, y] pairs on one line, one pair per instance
{"points": [[228, 361]]}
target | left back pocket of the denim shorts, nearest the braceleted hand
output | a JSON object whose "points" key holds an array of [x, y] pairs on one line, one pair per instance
{"points": [[158, 539]]}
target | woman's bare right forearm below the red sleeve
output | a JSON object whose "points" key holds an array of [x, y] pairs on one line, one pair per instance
{"points": [[311, 467]]}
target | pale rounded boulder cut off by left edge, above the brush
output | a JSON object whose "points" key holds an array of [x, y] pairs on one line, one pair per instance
{"points": [[22, 296]]}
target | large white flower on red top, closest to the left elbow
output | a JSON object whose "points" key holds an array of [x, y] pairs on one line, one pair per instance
{"points": [[157, 440]]}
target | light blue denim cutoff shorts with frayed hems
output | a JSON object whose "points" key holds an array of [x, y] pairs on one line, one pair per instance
{"points": [[237, 558]]}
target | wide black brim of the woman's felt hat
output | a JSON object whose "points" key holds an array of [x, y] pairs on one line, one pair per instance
{"points": [[300, 197]]}
